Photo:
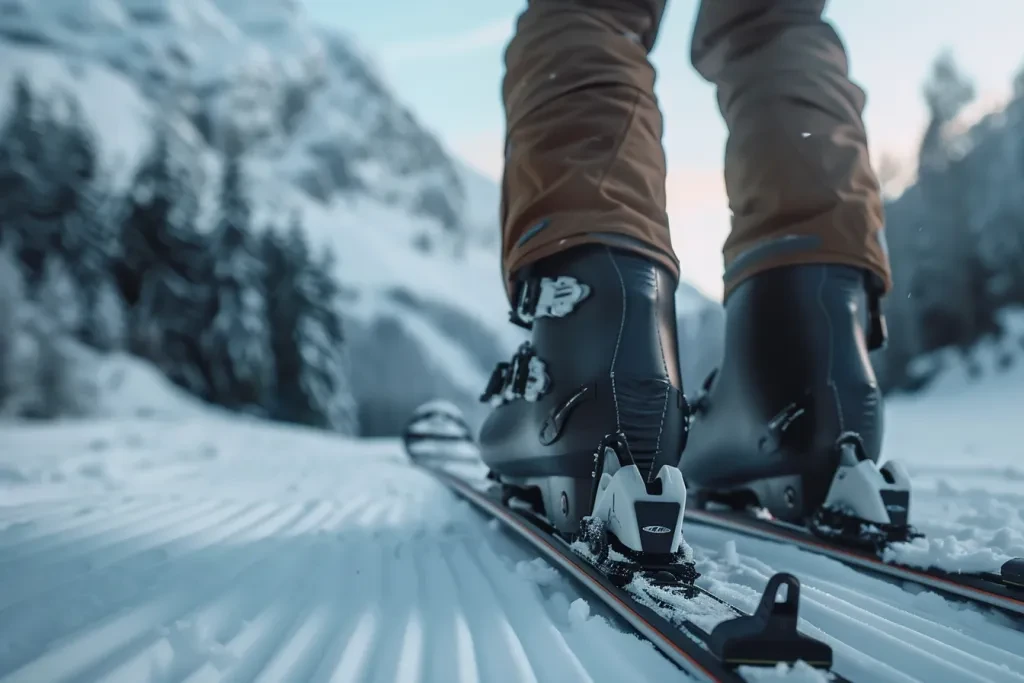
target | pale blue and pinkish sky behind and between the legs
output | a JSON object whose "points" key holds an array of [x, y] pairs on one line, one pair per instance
{"points": [[445, 61]]}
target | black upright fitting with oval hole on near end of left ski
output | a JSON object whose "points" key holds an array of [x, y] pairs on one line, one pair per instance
{"points": [[770, 636]]}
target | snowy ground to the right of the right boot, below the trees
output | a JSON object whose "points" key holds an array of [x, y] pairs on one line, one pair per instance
{"points": [[963, 441]]}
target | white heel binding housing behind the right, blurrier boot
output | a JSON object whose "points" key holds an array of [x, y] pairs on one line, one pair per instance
{"points": [[857, 490]]}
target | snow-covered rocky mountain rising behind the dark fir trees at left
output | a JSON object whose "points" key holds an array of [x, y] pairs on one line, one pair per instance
{"points": [[414, 229]]}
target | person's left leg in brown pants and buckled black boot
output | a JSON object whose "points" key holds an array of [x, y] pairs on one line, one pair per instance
{"points": [[588, 262]]}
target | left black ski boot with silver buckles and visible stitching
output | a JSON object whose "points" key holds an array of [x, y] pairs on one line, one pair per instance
{"points": [[593, 406]]}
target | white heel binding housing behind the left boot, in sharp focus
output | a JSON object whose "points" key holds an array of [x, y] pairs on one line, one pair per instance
{"points": [[622, 488]]}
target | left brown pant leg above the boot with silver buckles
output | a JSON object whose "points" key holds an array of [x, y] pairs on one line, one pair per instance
{"points": [[584, 162]]}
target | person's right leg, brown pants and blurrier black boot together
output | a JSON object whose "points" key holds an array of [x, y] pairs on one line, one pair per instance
{"points": [[796, 398]]}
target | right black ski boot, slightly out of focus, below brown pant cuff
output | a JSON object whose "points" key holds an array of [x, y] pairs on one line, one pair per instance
{"points": [[793, 420]]}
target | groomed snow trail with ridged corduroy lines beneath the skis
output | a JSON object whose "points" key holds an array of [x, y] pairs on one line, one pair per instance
{"points": [[225, 550]]}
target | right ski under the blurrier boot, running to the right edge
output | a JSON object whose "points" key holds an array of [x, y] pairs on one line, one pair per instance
{"points": [[1003, 590]]}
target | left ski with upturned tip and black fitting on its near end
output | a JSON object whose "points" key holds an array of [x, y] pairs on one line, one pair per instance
{"points": [[651, 597]]}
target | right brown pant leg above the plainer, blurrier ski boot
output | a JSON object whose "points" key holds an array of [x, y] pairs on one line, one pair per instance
{"points": [[797, 170]]}
